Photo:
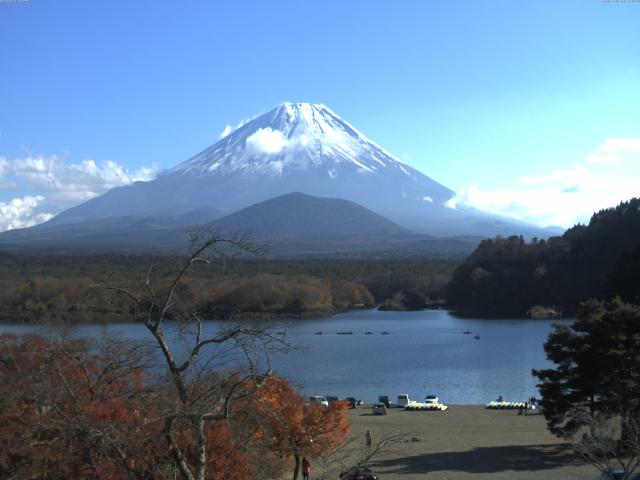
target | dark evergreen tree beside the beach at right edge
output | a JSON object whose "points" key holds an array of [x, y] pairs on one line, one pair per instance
{"points": [[597, 368]]}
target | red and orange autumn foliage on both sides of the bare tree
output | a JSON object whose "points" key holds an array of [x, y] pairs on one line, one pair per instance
{"points": [[70, 410]]}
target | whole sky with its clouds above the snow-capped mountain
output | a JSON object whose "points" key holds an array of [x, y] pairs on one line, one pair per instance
{"points": [[529, 109]]}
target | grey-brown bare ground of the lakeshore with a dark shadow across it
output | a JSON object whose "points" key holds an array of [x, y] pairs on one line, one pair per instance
{"points": [[467, 442]]}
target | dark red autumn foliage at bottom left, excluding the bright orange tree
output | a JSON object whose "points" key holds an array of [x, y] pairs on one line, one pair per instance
{"points": [[69, 412]]}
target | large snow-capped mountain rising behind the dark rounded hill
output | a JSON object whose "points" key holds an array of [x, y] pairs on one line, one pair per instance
{"points": [[296, 147]]}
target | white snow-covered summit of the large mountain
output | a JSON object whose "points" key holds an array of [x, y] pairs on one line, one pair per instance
{"points": [[293, 136]]}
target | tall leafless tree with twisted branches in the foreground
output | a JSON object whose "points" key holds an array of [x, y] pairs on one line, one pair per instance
{"points": [[205, 386]]}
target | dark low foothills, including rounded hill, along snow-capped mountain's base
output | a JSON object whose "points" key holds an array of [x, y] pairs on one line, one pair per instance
{"points": [[291, 225]]}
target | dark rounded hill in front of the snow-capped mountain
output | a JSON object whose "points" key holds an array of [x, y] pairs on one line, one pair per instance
{"points": [[298, 225]]}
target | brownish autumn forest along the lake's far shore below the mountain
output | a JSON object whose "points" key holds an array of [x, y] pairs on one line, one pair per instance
{"points": [[75, 288]]}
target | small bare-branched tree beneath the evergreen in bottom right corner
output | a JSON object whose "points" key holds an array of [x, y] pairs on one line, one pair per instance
{"points": [[601, 445]]}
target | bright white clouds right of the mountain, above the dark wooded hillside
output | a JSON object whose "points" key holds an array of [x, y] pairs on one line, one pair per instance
{"points": [[565, 196]]}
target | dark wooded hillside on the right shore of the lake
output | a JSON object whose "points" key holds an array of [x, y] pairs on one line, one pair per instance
{"points": [[508, 276]]}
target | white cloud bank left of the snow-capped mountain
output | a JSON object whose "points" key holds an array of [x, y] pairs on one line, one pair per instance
{"points": [[43, 186]]}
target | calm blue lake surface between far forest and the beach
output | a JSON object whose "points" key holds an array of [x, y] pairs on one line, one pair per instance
{"points": [[424, 353]]}
